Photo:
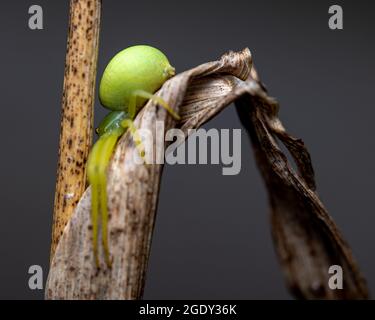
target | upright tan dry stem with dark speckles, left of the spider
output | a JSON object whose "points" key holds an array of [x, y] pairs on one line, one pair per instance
{"points": [[77, 111]]}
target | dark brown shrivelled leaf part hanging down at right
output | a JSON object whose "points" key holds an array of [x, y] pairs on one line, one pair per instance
{"points": [[306, 239]]}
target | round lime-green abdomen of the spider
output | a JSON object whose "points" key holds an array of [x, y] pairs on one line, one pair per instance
{"points": [[139, 67]]}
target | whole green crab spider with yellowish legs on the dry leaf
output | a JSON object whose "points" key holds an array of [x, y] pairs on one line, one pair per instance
{"points": [[130, 79]]}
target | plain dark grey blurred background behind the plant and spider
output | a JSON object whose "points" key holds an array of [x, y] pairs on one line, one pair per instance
{"points": [[220, 247]]}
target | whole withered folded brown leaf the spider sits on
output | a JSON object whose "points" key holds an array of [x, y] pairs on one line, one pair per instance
{"points": [[306, 239]]}
